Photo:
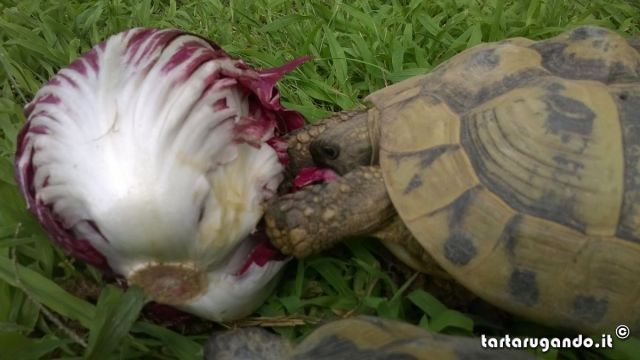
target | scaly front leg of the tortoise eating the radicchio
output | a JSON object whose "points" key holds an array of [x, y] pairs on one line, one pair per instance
{"points": [[317, 217]]}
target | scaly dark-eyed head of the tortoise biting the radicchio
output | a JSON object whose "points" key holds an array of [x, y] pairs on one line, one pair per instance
{"points": [[346, 145]]}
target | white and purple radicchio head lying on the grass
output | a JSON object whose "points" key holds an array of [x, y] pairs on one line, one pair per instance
{"points": [[152, 155]]}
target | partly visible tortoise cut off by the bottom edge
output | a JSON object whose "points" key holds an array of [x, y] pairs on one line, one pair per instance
{"points": [[357, 338]]}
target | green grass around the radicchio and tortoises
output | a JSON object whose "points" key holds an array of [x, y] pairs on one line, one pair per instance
{"points": [[358, 46]]}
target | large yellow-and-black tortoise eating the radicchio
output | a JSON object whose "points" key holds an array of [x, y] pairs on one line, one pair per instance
{"points": [[513, 167]]}
